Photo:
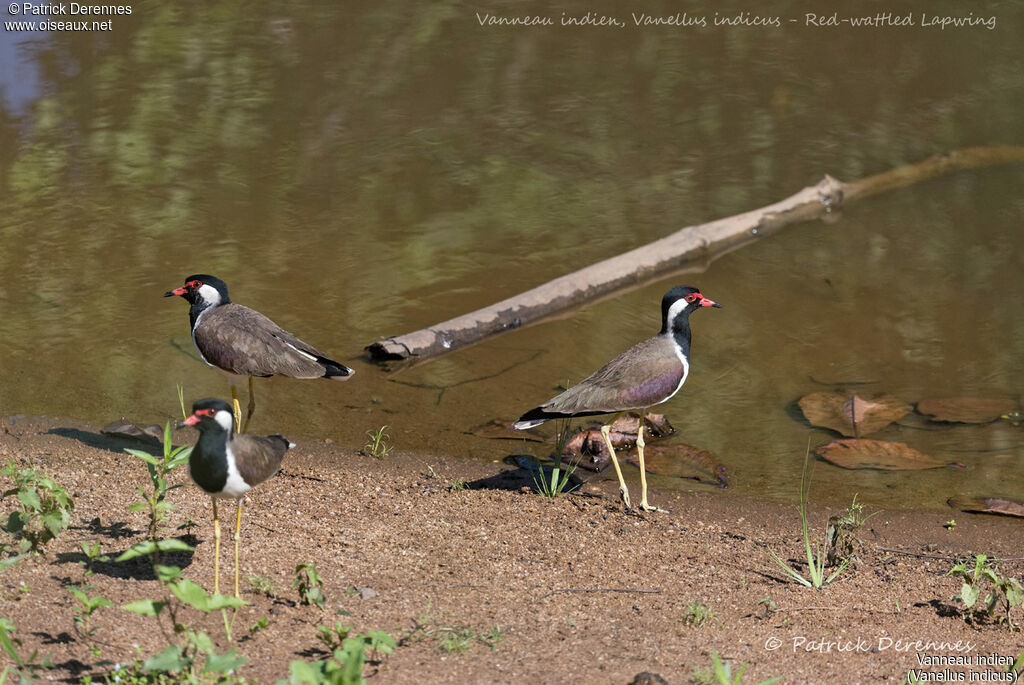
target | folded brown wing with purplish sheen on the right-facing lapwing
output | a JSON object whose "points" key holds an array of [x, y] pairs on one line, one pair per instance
{"points": [[645, 375]]}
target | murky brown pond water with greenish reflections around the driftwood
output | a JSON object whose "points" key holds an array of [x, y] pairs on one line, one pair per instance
{"points": [[367, 172]]}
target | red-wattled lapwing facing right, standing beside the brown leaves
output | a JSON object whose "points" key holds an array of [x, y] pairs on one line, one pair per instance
{"points": [[648, 374]]}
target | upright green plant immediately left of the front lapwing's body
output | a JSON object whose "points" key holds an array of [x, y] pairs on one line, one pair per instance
{"points": [[155, 501]]}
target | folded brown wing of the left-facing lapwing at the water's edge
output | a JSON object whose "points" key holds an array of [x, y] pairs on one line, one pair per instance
{"points": [[243, 341]]}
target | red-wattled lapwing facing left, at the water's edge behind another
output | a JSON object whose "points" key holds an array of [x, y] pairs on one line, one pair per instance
{"points": [[243, 342]]}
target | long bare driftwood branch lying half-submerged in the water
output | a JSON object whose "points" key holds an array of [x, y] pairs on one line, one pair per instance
{"points": [[670, 253]]}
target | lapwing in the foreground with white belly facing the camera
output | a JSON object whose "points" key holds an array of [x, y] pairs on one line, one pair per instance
{"points": [[229, 466]]}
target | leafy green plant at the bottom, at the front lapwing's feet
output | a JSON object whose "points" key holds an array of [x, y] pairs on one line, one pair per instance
{"points": [[192, 657]]}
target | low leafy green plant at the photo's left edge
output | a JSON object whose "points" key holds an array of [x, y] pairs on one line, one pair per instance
{"points": [[44, 515]]}
